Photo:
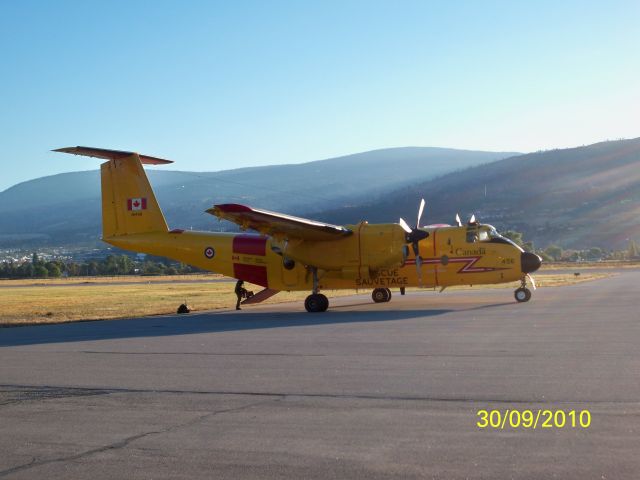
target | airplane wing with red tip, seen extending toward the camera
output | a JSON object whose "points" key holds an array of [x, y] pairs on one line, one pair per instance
{"points": [[278, 224]]}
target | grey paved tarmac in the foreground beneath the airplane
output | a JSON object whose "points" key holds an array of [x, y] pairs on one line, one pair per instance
{"points": [[363, 391]]}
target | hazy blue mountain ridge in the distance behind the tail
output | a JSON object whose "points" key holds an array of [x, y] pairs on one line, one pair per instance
{"points": [[65, 209]]}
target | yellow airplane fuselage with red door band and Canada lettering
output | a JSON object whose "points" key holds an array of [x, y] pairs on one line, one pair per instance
{"points": [[447, 260]]}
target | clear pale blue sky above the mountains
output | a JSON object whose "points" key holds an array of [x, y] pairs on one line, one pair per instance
{"points": [[217, 85]]}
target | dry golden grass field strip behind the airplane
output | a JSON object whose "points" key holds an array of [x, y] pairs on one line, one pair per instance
{"points": [[52, 301]]}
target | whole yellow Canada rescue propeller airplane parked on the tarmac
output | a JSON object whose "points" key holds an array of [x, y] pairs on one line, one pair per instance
{"points": [[291, 253]]}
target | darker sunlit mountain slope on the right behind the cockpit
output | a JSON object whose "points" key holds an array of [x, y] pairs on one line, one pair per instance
{"points": [[577, 197]]}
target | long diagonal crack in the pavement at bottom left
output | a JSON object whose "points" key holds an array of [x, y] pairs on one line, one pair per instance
{"points": [[128, 440]]}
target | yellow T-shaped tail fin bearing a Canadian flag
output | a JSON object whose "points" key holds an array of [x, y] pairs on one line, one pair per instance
{"points": [[129, 205]]}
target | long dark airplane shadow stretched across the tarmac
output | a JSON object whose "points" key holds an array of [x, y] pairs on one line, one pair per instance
{"points": [[161, 326]]}
